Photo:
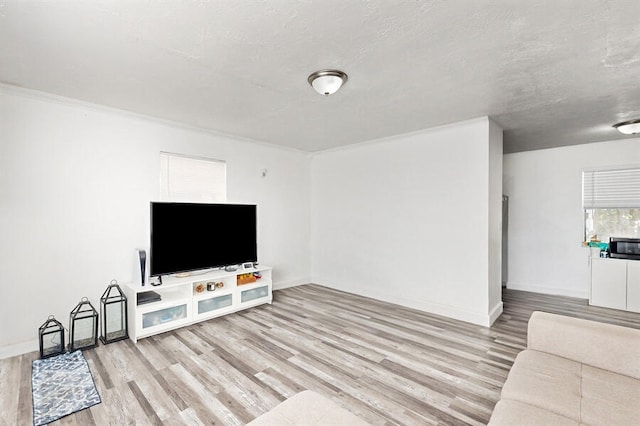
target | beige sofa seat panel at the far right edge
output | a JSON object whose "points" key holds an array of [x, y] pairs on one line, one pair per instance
{"points": [[609, 398]]}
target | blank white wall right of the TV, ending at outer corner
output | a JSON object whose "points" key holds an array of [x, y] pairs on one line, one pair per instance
{"points": [[406, 220]]}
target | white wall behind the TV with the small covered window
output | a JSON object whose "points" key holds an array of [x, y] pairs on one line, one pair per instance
{"points": [[75, 186]]}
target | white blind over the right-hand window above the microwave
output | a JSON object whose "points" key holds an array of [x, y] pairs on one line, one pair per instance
{"points": [[610, 189]]}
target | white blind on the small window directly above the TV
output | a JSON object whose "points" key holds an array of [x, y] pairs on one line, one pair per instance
{"points": [[192, 179]]}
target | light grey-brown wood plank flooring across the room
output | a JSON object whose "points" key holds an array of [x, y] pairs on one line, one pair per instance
{"points": [[387, 364]]}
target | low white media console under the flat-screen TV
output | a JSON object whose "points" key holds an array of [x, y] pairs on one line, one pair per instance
{"points": [[187, 300]]}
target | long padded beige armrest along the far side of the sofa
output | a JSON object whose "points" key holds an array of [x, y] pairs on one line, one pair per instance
{"points": [[610, 347]]}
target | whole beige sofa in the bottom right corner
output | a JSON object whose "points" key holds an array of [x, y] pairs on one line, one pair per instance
{"points": [[573, 372]]}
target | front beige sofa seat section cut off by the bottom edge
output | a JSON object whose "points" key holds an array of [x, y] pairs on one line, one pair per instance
{"points": [[510, 412]]}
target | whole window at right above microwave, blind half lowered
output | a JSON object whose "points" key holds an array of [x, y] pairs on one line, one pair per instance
{"points": [[611, 203]]}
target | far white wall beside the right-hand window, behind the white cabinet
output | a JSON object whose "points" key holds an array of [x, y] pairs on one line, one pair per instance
{"points": [[545, 214]]}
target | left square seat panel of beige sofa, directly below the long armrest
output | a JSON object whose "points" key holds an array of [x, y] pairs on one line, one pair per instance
{"points": [[545, 381]]}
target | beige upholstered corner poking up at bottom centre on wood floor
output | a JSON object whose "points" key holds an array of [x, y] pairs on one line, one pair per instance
{"points": [[308, 408]]}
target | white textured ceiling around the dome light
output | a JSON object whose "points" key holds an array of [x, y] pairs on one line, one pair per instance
{"points": [[550, 72]]}
